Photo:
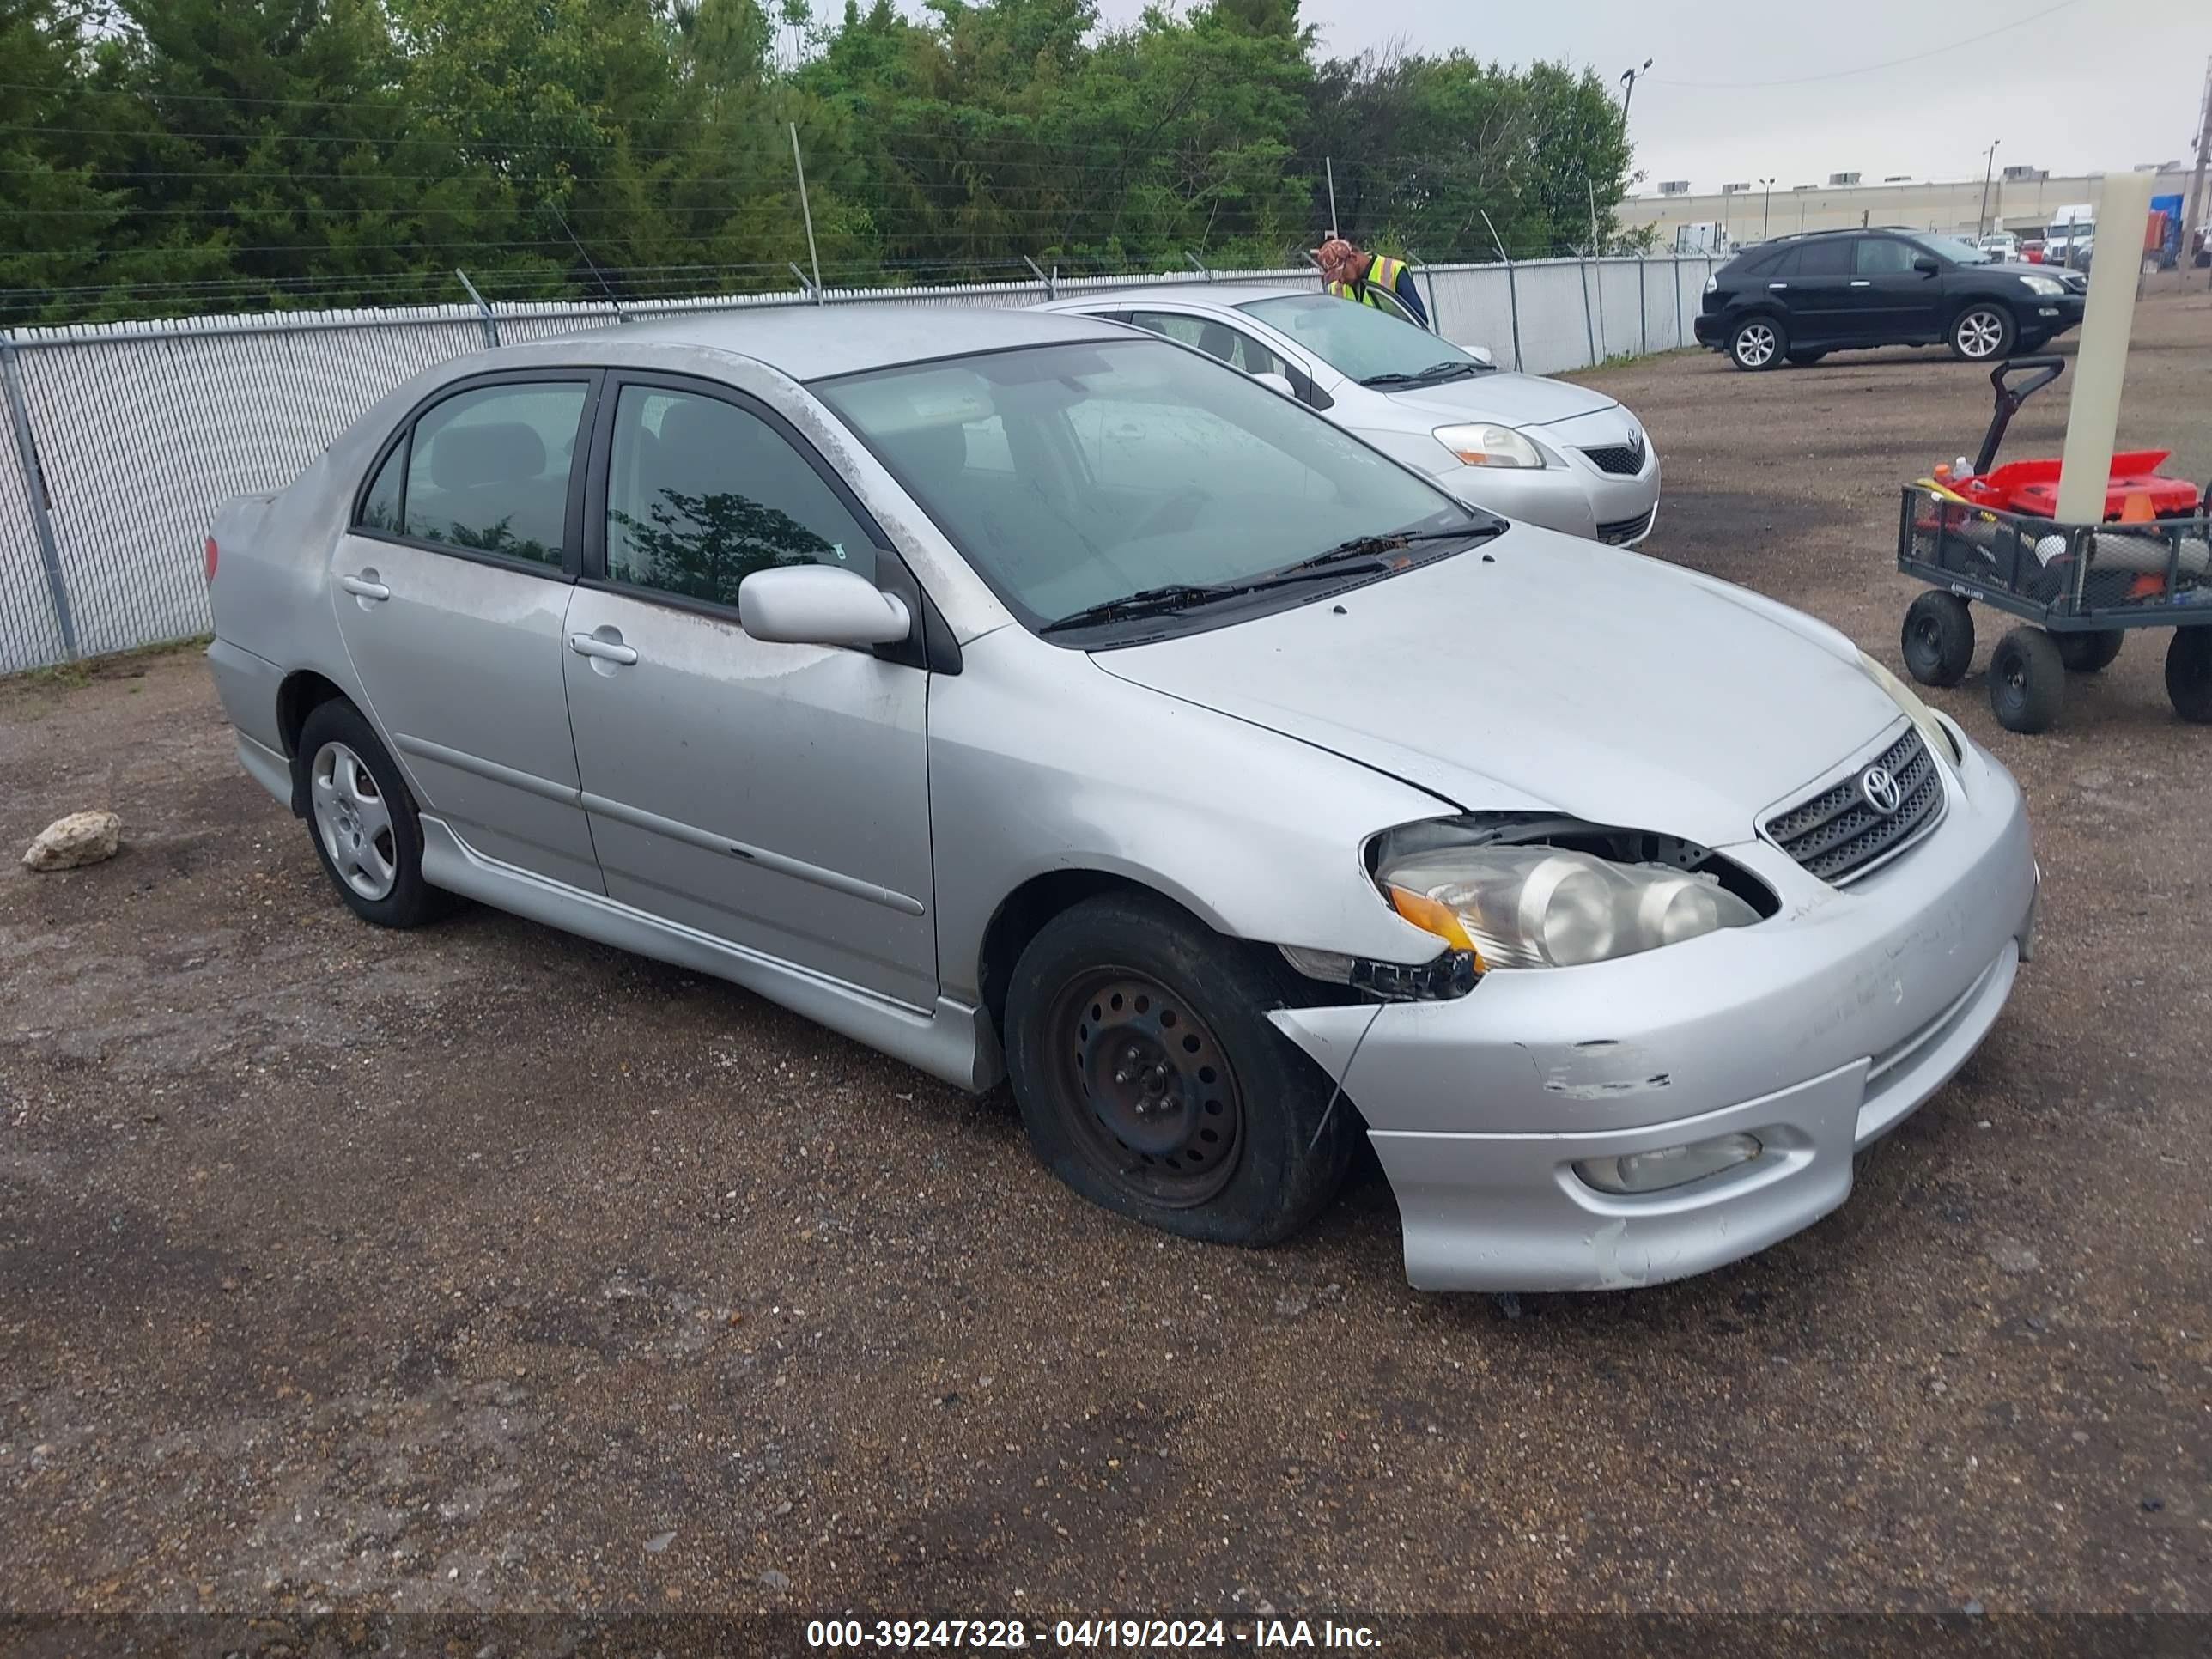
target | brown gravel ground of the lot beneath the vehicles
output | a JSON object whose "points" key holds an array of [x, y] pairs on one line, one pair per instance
{"points": [[490, 1271]]}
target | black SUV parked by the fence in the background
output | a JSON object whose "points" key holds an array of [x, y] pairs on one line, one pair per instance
{"points": [[1828, 291]]}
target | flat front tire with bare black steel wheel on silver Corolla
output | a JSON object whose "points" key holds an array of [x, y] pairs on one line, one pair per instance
{"points": [[1151, 1081]]}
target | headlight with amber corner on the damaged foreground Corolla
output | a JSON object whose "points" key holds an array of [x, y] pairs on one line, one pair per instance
{"points": [[1538, 906]]}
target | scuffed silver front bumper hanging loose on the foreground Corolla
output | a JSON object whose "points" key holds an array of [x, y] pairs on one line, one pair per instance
{"points": [[1813, 1032]]}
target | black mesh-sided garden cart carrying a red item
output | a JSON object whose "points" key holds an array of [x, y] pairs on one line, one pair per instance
{"points": [[1987, 534]]}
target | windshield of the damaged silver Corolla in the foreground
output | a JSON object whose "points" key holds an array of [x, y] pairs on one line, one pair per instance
{"points": [[1081, 474]]}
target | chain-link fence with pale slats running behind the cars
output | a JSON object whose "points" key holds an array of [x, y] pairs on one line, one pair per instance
{"points": [[127, 437]]}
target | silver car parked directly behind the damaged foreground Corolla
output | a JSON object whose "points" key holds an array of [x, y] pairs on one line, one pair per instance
{"points": [[1536, 450]]}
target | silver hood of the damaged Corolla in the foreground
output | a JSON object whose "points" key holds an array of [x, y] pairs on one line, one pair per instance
{"points": [[1550, 676]]}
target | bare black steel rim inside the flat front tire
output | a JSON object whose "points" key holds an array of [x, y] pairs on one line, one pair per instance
{"points": [[1145, 1089]]}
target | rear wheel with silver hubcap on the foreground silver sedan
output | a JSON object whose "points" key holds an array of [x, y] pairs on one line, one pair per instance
{"points": [[364, 820]]}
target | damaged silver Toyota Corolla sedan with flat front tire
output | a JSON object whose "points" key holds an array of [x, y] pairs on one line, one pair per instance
{"points": [[1030, 698]]}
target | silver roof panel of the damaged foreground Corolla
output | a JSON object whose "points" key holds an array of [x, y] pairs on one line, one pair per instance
{"points": [[820, 342]]}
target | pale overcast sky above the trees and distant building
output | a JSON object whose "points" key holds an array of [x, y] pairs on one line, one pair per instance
{"points": [[1751, 92]]}
